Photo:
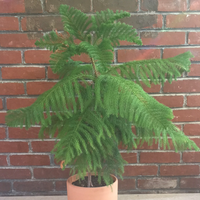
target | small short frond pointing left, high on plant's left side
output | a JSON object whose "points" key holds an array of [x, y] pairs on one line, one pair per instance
{"points": [[51, 41]]}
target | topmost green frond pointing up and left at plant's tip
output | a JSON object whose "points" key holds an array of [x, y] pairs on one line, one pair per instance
{"points": [[75, 22]]}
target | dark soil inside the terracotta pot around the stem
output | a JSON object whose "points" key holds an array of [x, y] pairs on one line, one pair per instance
{"points": [[84, 182]]}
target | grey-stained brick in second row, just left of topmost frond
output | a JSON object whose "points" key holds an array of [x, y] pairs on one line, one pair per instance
{"points": [[44, 23]]}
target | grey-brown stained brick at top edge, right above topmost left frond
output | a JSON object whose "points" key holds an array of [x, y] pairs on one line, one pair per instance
{"points": [[52, 6]]}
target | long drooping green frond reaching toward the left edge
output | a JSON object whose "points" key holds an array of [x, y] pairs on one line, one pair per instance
{"points": [[53, 100]]}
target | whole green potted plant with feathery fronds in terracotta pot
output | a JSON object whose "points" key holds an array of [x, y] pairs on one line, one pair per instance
{"points": [[94, 106]]}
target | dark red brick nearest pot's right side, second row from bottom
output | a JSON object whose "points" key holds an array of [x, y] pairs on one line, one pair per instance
{"points": [[140, 170]]}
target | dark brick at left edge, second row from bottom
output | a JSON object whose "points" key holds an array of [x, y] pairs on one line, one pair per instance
{"points": [[15, 174]]}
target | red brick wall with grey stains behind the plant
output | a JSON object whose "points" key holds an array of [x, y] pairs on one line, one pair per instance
{"points": [[167, 28]]}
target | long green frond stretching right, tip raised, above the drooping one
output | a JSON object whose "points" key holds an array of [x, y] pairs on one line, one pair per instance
{"points": [[155, 70]]}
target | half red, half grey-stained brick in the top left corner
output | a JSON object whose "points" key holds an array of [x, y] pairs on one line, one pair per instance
{"points": [[20, 6]]}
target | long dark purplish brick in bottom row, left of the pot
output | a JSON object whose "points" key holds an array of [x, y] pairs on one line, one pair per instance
{"points": [[33, 186]]}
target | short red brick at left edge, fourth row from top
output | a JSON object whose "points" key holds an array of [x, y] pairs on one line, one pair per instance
{"points": [[10, 57]]}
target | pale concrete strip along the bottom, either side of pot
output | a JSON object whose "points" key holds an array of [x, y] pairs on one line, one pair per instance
{"points": [[191, 196]]}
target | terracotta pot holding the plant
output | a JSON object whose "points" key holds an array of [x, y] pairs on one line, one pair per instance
{"points": [[98, 193]]}
